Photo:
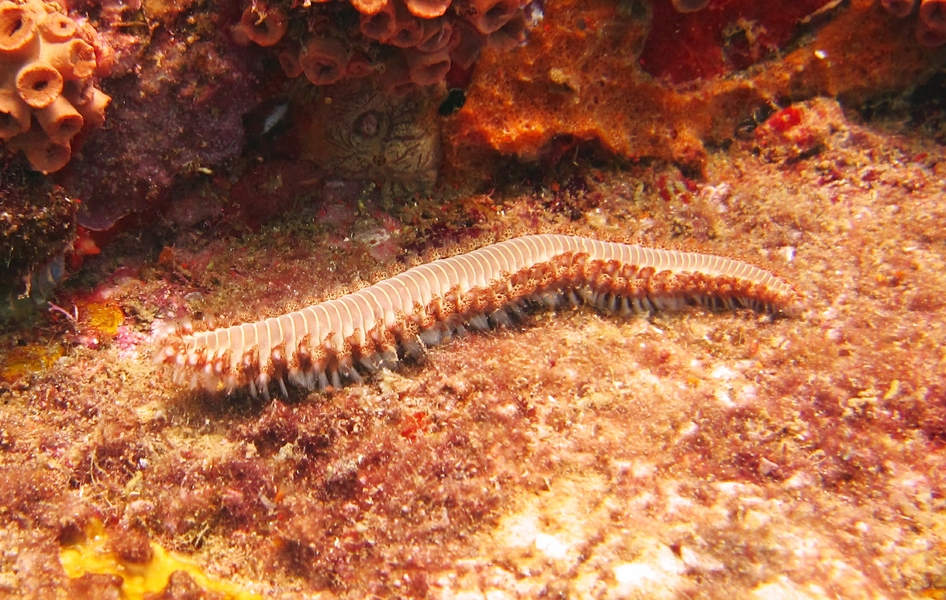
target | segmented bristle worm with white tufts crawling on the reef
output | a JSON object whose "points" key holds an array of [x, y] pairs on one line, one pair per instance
{"points": [[424, 305]]}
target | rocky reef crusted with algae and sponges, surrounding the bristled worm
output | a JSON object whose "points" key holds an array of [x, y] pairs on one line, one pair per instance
{"points": [[260, 157]]}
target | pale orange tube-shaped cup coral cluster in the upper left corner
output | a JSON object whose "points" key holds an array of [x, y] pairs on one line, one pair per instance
{"points": [[46, 65]]}
